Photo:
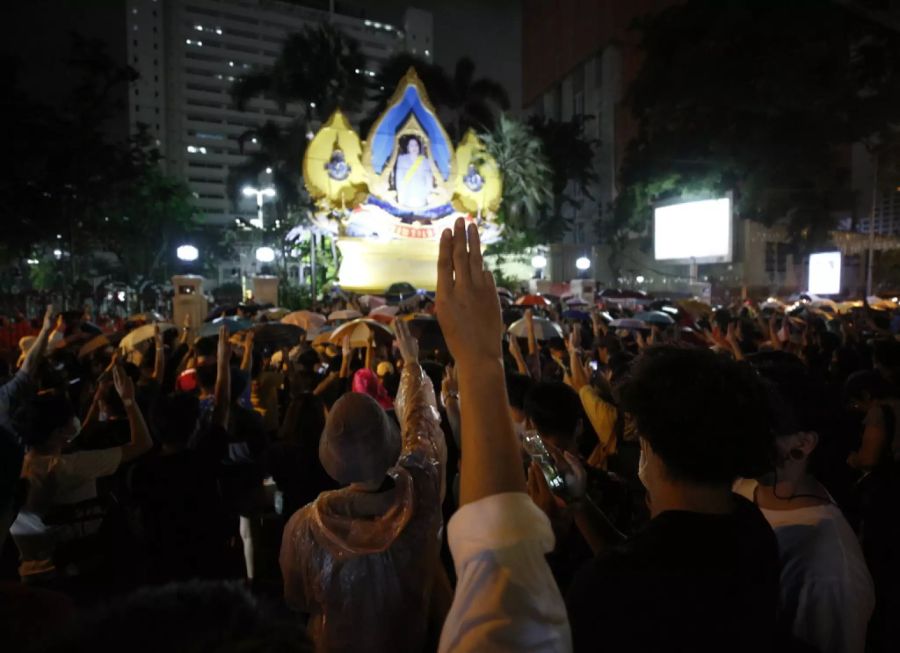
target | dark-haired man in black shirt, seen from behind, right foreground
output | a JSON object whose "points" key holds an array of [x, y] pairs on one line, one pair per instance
{"points": [[703, 574]]}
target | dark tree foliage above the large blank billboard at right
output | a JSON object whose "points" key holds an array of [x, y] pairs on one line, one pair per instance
{"points": [[761, 97]]}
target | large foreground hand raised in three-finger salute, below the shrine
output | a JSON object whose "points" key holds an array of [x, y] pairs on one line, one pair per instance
{"points": [[468, 308]]}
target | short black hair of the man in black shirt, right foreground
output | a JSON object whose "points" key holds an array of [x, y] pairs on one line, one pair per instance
{"points": [[703, 413]]}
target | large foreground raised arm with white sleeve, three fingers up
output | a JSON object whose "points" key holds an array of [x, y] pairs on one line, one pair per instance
{"points": [[506, 598]]}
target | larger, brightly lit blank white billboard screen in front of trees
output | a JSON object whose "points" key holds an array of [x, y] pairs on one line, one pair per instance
{"points": [[693, 230]]}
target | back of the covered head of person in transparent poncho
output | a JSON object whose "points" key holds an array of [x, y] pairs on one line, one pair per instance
{"points": [[360, 442]]}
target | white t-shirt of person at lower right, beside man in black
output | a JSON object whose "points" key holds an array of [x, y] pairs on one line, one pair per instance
{"points": [[827, 592]]}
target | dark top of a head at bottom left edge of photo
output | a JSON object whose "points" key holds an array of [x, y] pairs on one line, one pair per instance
{"points": [[218, 617]]}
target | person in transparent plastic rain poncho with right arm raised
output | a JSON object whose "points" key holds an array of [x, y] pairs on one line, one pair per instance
{"points": [[361, 560]]}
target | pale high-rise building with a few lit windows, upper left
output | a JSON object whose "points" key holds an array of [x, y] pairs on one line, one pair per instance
{"points": [[189, 53]]}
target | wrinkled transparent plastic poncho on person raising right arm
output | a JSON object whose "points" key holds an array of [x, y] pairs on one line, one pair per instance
{"points": [[362, 564]]}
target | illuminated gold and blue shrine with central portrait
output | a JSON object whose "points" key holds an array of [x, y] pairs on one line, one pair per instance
{"points": [[388, 198]]}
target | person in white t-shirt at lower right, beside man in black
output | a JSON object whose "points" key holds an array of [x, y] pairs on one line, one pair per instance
{"points": [[827, 592]]}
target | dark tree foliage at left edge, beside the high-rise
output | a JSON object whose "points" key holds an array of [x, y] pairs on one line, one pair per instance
{"points": [[70, 184]]}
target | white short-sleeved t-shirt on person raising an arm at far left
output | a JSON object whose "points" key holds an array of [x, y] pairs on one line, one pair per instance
{"points": [[57, 481]]}
